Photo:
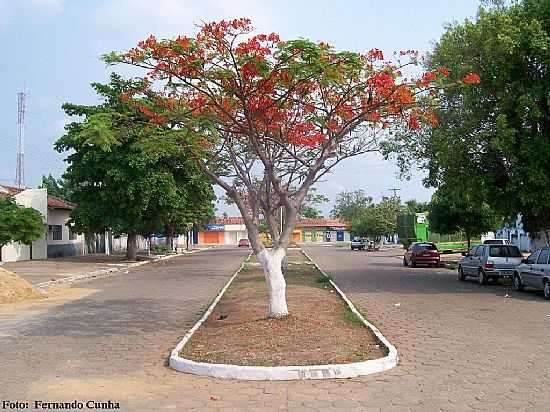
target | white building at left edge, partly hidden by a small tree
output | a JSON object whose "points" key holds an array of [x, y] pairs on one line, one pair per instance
{"points": [[58, 239]]}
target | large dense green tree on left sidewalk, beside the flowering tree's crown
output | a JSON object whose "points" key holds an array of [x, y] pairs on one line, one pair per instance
{"points": [[129, 175]]}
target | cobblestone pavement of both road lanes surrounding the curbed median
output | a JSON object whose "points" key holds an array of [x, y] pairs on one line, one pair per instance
{"points": [[462, 346]]}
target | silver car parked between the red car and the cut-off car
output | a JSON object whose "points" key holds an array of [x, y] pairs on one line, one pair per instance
{"points": [[489, 262]]}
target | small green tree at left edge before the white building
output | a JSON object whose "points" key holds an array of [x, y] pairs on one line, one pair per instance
{"points": [[18, 223]]}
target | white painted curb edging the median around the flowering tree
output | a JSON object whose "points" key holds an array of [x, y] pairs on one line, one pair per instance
{"points": [[226, 371]]}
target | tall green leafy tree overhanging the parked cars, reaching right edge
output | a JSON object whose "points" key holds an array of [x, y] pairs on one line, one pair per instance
{"points": [[492, 142]]}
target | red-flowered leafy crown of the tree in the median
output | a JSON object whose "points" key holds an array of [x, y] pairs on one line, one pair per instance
{"points": [[264, 88]]}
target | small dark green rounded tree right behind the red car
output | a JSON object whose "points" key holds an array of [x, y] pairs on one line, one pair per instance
{"points": [[450, 213]]}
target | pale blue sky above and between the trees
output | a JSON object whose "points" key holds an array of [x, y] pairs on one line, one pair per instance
{"points": [[52, 48]]}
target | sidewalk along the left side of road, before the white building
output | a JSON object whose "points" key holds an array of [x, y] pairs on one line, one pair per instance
{"points": [[60, 270]]}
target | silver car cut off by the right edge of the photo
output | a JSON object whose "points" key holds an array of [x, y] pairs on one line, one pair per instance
{"points": [[534, 272]]}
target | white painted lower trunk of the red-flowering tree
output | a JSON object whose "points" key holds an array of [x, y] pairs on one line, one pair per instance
{"points": [[271, 260]]}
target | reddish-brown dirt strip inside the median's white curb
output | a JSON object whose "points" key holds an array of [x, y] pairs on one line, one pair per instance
{"points": [[320, 329]]}
